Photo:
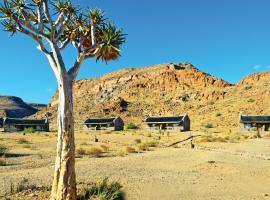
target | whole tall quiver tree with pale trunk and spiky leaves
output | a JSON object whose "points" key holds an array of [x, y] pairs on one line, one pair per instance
{"points": [[54, 25]]}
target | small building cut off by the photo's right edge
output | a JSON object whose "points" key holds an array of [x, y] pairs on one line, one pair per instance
{"points": [[255, 122]]}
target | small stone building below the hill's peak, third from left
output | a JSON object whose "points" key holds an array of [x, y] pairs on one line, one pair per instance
{"points": [[181, 123]]}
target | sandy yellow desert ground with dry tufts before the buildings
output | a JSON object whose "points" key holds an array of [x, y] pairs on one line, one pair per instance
{"points": [[144, 164]]}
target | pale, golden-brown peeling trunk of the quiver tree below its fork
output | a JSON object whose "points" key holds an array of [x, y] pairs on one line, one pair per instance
{"points": [[64, 183]]}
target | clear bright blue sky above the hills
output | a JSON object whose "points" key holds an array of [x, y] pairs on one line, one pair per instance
{"points": [[226, 38]]}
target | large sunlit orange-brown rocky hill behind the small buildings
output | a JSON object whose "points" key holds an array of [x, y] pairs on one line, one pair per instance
{"points": [[168, 89]]}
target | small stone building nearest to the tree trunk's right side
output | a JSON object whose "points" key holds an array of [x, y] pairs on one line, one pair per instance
{"points": [[113, 123]]}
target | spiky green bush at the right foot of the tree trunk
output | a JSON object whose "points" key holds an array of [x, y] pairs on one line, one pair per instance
{"points": [[102, 190]]}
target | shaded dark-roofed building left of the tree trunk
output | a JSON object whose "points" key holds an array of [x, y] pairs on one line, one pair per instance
{"points": [[19, 124]]}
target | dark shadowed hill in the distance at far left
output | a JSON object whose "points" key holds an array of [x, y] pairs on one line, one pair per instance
{"points": [[11, 106]]}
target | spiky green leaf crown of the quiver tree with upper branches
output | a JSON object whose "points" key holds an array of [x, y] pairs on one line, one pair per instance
{"points": [[62, 23]]}
